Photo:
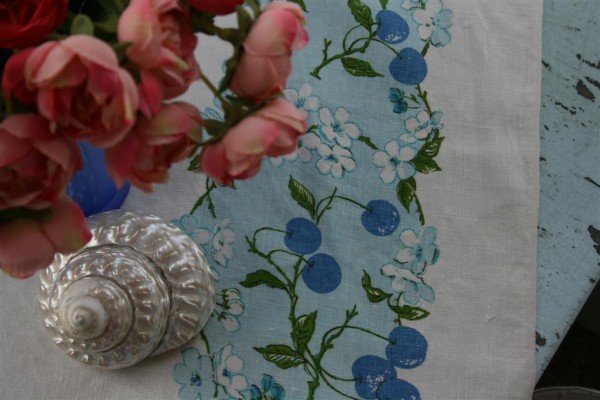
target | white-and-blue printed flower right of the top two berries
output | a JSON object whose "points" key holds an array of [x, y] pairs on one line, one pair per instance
{"points": [[434, 22]]}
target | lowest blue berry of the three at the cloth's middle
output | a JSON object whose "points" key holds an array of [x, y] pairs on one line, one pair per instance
{"points": [[322, 274]]}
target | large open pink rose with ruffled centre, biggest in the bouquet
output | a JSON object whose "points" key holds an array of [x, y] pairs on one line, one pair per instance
{"points": [[81, 88]]}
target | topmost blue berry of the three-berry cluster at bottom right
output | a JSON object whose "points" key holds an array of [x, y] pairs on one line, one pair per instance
{"points": [[407, 348]]}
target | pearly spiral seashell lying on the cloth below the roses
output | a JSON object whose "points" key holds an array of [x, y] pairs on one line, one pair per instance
{"points": [[139, 288]]}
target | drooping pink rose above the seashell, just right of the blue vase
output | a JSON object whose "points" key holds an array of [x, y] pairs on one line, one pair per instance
{"points": [[147, 153]]}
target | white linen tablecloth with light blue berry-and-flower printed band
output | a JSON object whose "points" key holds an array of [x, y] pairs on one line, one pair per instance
{"points": [[391, 257]]}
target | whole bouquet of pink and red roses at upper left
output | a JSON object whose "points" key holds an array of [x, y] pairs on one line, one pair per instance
{"points": [[107, 72]]}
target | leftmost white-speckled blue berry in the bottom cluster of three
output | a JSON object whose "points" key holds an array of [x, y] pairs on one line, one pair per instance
{"points": [[370, 372]]}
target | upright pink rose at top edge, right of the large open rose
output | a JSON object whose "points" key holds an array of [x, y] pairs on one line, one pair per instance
{"points": [[162, 42]]}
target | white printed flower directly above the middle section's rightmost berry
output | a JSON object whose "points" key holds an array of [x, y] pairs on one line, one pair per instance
{"points": [[395, 161]]}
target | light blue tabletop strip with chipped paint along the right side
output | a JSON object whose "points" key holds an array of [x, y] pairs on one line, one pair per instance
{"points": [[568, 263]]}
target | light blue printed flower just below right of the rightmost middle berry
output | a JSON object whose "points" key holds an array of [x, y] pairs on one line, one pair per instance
{"points": [[418, 249]]}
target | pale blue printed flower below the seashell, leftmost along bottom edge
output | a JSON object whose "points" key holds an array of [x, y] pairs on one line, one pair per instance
{"points": [[194, 375]]}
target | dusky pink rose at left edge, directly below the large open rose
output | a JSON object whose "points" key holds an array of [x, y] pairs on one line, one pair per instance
{"points": [[35, 164]]}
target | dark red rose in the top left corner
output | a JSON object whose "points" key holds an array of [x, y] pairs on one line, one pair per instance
{"points": [[25, 23]]}
